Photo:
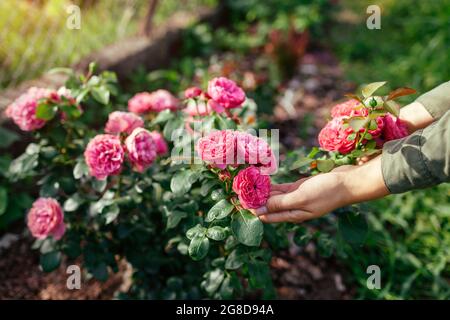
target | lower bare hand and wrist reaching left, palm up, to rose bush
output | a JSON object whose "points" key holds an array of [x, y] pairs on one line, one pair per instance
{"points": [[312, 197]]}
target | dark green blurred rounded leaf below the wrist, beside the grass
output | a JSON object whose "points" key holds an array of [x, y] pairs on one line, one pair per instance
{"points": [[353, 227]]}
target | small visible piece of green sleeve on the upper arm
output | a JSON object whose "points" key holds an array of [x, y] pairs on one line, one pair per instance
{"points": [[437, 101]]}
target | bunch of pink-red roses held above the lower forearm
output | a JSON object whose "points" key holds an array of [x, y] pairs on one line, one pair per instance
{"points": [[335, 135]]}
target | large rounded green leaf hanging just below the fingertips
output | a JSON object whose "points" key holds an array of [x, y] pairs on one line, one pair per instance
{"points": [[247, 228]]}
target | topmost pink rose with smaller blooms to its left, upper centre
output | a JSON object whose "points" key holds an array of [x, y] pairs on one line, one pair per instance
{"points": [[222, 94]]}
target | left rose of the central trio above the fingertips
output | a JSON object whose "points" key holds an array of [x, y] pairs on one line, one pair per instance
{"points": [[218, 148]]}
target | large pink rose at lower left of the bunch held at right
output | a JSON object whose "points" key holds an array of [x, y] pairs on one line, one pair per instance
{"points": [[333, 137]]}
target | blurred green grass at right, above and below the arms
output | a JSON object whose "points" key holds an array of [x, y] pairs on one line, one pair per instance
{"points": [[410, 236]]}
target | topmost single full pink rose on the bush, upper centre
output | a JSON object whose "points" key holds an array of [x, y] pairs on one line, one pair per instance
{"points": [[225, 92]]}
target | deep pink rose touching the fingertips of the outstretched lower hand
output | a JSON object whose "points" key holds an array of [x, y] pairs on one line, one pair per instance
{"points": [[252, 188]]}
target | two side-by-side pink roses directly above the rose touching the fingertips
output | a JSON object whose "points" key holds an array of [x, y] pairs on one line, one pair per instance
{"points": [[228, 147]]}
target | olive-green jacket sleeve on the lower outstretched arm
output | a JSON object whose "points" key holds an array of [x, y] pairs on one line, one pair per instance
{"points": [[420, 160]]}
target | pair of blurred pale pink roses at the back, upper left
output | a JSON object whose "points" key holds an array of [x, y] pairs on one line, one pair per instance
{"points": [[156, 101]]}
